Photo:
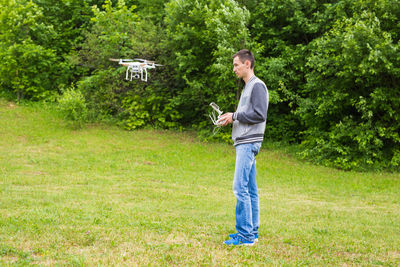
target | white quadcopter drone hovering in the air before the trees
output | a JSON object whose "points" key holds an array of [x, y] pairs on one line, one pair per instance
{"points": [[137, 68]]}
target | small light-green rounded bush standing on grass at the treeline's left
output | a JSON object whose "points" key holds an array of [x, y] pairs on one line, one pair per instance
{"points": [[73, 107]]}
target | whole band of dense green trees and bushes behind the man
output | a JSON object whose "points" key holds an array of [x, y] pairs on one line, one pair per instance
{"points": [[331, 67]]}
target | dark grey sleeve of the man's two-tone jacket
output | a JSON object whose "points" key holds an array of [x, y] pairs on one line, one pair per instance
{"points": [[259, 104]]}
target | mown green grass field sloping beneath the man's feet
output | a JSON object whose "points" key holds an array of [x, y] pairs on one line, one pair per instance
{"points": [[104, 196]]}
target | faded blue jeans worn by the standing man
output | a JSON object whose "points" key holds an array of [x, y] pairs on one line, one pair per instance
{"points": [[245, 190]]}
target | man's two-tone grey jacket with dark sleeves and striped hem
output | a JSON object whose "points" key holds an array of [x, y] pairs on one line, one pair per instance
{"points": [[251, 115]]}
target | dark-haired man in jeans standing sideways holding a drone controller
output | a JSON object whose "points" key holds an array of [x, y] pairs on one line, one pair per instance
{"points": [[247, 133]]}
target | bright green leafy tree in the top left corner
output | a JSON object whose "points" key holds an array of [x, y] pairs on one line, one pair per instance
{"points": [[29, 66]]}
